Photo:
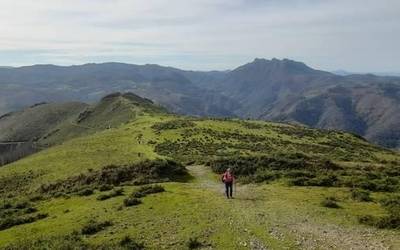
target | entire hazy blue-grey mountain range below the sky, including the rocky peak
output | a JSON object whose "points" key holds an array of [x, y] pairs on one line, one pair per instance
{"points": [[277, 90]]}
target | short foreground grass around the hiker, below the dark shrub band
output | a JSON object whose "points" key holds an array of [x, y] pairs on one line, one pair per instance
{"points": [[186, 210]]}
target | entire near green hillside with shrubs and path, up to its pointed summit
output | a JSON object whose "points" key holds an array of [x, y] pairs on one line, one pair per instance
{"points": [[93, 190]]}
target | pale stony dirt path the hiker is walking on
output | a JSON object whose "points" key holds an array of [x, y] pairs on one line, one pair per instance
{"points": [[251, 212]]}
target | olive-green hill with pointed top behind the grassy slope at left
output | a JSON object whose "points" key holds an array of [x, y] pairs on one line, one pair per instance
{"points": [[54, 123]]}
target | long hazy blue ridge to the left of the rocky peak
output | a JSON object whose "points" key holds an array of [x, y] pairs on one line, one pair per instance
{"points": [[20, 87]]}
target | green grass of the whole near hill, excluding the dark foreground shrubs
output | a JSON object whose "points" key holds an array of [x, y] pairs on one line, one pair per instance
{"points": [[196, 208]]}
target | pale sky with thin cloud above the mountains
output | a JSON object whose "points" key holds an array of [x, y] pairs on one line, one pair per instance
{"points": [[353, 35]]}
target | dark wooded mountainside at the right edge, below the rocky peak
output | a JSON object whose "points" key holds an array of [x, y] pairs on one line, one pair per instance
{"points": [[368, 111]]}
